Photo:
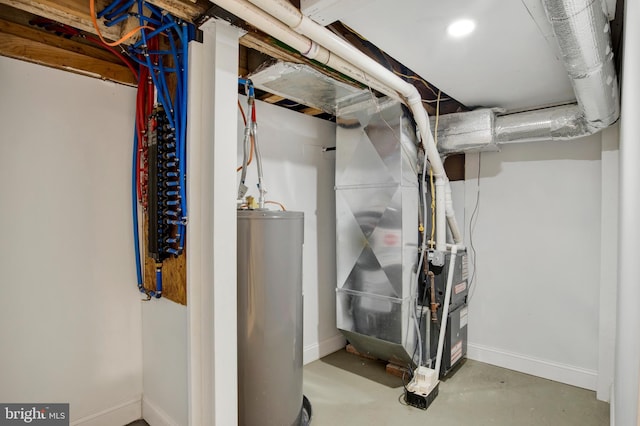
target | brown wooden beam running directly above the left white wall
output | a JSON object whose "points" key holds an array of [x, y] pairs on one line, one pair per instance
{"points": [[34, 51]]}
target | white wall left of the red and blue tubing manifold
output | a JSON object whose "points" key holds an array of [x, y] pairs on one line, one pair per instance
{"points": [[70, 320]]}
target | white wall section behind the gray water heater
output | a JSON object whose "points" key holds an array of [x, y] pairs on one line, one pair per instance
{"points": [[300, 174]]}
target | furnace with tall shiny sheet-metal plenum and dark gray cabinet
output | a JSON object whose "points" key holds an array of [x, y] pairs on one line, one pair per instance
{"points": [[379, 298]]}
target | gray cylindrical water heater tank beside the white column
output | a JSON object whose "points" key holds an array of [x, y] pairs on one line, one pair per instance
{"points": [[270, 318]]}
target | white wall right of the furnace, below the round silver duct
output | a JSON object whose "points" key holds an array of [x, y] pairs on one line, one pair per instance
{"points": [[534, 302]]}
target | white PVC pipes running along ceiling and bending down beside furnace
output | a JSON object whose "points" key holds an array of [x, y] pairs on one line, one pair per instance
{"points": [[345, 58]]}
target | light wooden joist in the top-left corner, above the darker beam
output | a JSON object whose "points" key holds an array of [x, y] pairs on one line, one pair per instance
{"points": [[74, 13]]}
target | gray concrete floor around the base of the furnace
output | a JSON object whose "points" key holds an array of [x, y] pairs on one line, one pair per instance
{"points": [[345, 389]]}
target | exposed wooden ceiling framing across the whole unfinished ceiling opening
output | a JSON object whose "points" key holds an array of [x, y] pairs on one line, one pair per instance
{"points": [[20, 39]]}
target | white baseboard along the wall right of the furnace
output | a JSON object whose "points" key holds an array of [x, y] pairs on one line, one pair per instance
{"points": [[563, 373]]}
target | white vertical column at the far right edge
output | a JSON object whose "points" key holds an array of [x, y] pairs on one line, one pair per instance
{"points": [[627, 370]]}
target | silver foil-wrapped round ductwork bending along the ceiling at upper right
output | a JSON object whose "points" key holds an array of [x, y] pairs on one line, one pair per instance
{"points": [[582, 30]]}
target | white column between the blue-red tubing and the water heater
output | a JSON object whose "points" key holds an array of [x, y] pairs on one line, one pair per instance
{"points": [[211, 233]]}
